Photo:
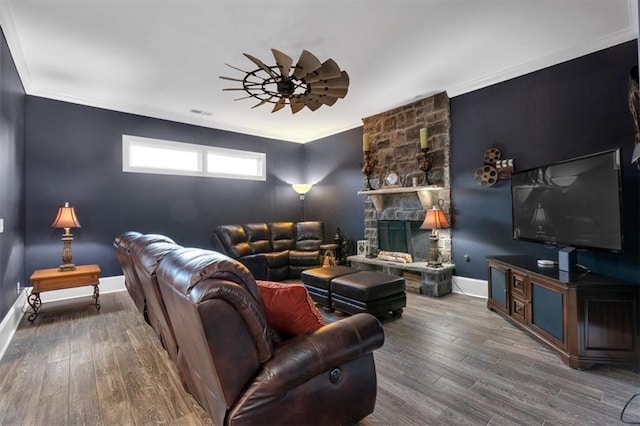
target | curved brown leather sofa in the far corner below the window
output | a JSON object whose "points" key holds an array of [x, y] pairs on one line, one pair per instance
{"points": [[272, 251]]}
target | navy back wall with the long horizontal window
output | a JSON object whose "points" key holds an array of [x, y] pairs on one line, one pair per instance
{"points": [[74, 154]]}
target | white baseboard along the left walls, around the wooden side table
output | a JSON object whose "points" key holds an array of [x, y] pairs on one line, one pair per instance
{"points": [[10, 322]]}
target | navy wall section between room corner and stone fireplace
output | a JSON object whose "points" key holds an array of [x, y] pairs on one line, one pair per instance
{"points": [[332, 165]]}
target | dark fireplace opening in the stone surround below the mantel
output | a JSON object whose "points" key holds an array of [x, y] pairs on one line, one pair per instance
{"points": [[403, 236]]}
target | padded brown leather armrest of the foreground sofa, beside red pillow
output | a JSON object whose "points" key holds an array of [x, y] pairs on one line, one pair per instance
{"points": [[306, 356]]}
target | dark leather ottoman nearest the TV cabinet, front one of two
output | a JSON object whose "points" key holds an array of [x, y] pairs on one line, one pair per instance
{"points": [[368, 291]]}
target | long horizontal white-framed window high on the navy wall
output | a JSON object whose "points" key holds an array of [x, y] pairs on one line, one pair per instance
{"points": [[145, 155]]}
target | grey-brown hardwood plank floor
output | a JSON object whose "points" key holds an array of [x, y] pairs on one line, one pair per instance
{"points": [[445, 361]]}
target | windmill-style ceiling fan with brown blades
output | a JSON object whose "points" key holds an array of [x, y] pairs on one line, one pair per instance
{"points": [[308, 83]]}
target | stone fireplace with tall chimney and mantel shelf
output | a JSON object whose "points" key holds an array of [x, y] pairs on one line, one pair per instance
{"points": [[395, 144]]}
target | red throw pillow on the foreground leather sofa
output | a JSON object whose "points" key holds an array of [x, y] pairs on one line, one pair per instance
{"points": [[289, 308]]}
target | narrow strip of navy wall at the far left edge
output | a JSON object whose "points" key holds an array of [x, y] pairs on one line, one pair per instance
{"points": [[12, 123]]}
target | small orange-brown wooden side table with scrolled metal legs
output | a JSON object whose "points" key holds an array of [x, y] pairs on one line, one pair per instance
{"points": [[54, 279]]}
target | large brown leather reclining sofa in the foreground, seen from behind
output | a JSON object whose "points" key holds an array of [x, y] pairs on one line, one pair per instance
{"points": [[240, 370]]}
